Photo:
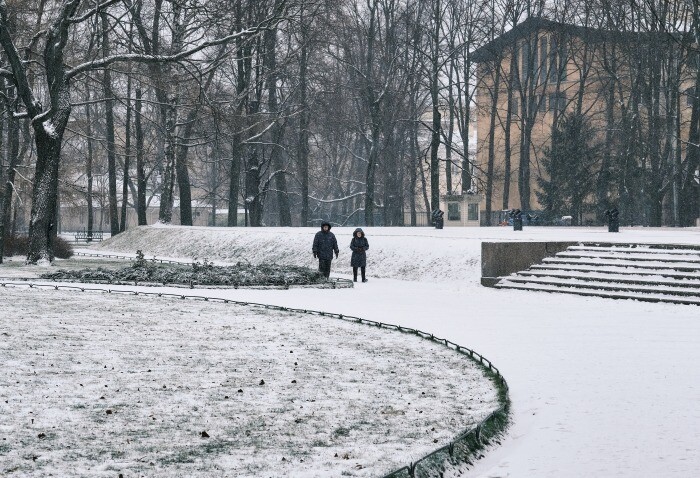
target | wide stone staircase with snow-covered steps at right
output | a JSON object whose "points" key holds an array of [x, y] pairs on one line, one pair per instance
{"points": [[646, 272]]}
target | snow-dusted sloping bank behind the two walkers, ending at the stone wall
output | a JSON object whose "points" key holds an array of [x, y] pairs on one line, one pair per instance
{"points": [[392, 253]]}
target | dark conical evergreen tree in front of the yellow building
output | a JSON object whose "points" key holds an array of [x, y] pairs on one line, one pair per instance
{"points": [[569, 166]]}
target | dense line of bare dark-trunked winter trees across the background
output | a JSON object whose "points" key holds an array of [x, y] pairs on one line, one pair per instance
{"points": [[292, 110]]}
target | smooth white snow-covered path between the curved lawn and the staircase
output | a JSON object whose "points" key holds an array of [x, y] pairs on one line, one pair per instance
{"points": [[599, 387]]}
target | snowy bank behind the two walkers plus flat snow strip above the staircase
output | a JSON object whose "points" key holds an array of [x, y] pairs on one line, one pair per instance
{"points": [[419, 254]]}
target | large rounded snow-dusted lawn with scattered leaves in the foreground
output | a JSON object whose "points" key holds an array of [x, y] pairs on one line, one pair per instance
{"points": [[97, 384]]}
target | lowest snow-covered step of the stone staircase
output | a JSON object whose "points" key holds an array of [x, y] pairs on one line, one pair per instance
{"points": [[607, 286]]}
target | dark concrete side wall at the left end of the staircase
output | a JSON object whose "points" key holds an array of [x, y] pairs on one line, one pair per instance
{"points": [[503, 258]]}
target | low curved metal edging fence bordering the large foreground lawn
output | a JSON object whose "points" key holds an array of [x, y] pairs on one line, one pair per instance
{"points": [[462, 449]]}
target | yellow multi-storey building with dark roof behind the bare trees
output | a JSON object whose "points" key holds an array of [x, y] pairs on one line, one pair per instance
{"points": [[633, 88]]}
